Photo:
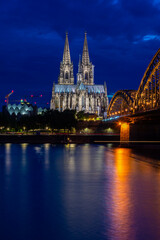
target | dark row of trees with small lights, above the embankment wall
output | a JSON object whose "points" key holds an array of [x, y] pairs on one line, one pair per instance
{"points": [[54, 122]]}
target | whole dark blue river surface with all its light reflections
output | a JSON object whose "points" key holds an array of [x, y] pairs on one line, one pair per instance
{"points": [[78, 192]]}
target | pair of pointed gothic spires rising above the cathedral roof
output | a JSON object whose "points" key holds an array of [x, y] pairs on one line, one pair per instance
{"points": [[85, 67]]}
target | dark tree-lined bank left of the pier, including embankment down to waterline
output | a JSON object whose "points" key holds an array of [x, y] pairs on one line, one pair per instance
{"points": [[56, 127]]}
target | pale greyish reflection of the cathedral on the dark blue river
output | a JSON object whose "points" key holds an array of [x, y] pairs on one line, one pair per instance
{"points": [[81, 200]]}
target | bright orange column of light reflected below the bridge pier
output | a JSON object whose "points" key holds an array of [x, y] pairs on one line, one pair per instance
{"points": [[121, 202]]}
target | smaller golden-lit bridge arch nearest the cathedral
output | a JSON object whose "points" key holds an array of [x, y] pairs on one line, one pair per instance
{"points": [[121, 103]]}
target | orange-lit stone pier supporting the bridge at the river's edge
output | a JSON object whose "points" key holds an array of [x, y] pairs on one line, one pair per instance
{"points": [[124, 134]]}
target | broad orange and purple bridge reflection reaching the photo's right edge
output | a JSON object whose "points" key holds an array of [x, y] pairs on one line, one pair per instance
{"points": [[130, 193]]}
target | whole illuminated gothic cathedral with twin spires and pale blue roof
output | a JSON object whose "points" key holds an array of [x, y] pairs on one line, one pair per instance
{"points": [[84, 95]]}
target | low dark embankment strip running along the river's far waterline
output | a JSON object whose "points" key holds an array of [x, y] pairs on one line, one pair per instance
{"points": [[77, 139]]}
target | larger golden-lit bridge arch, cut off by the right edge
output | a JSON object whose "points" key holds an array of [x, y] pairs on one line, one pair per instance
{"points": [[148, 94]]}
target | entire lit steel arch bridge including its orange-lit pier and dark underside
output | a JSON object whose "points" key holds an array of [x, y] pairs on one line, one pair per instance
{"points": [[138, 112]]}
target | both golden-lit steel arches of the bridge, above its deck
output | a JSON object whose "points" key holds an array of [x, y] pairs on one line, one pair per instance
{"points": [[146, 98]]}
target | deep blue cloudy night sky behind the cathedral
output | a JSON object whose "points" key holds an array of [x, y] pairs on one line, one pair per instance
{"points": [[123, 36]]}
